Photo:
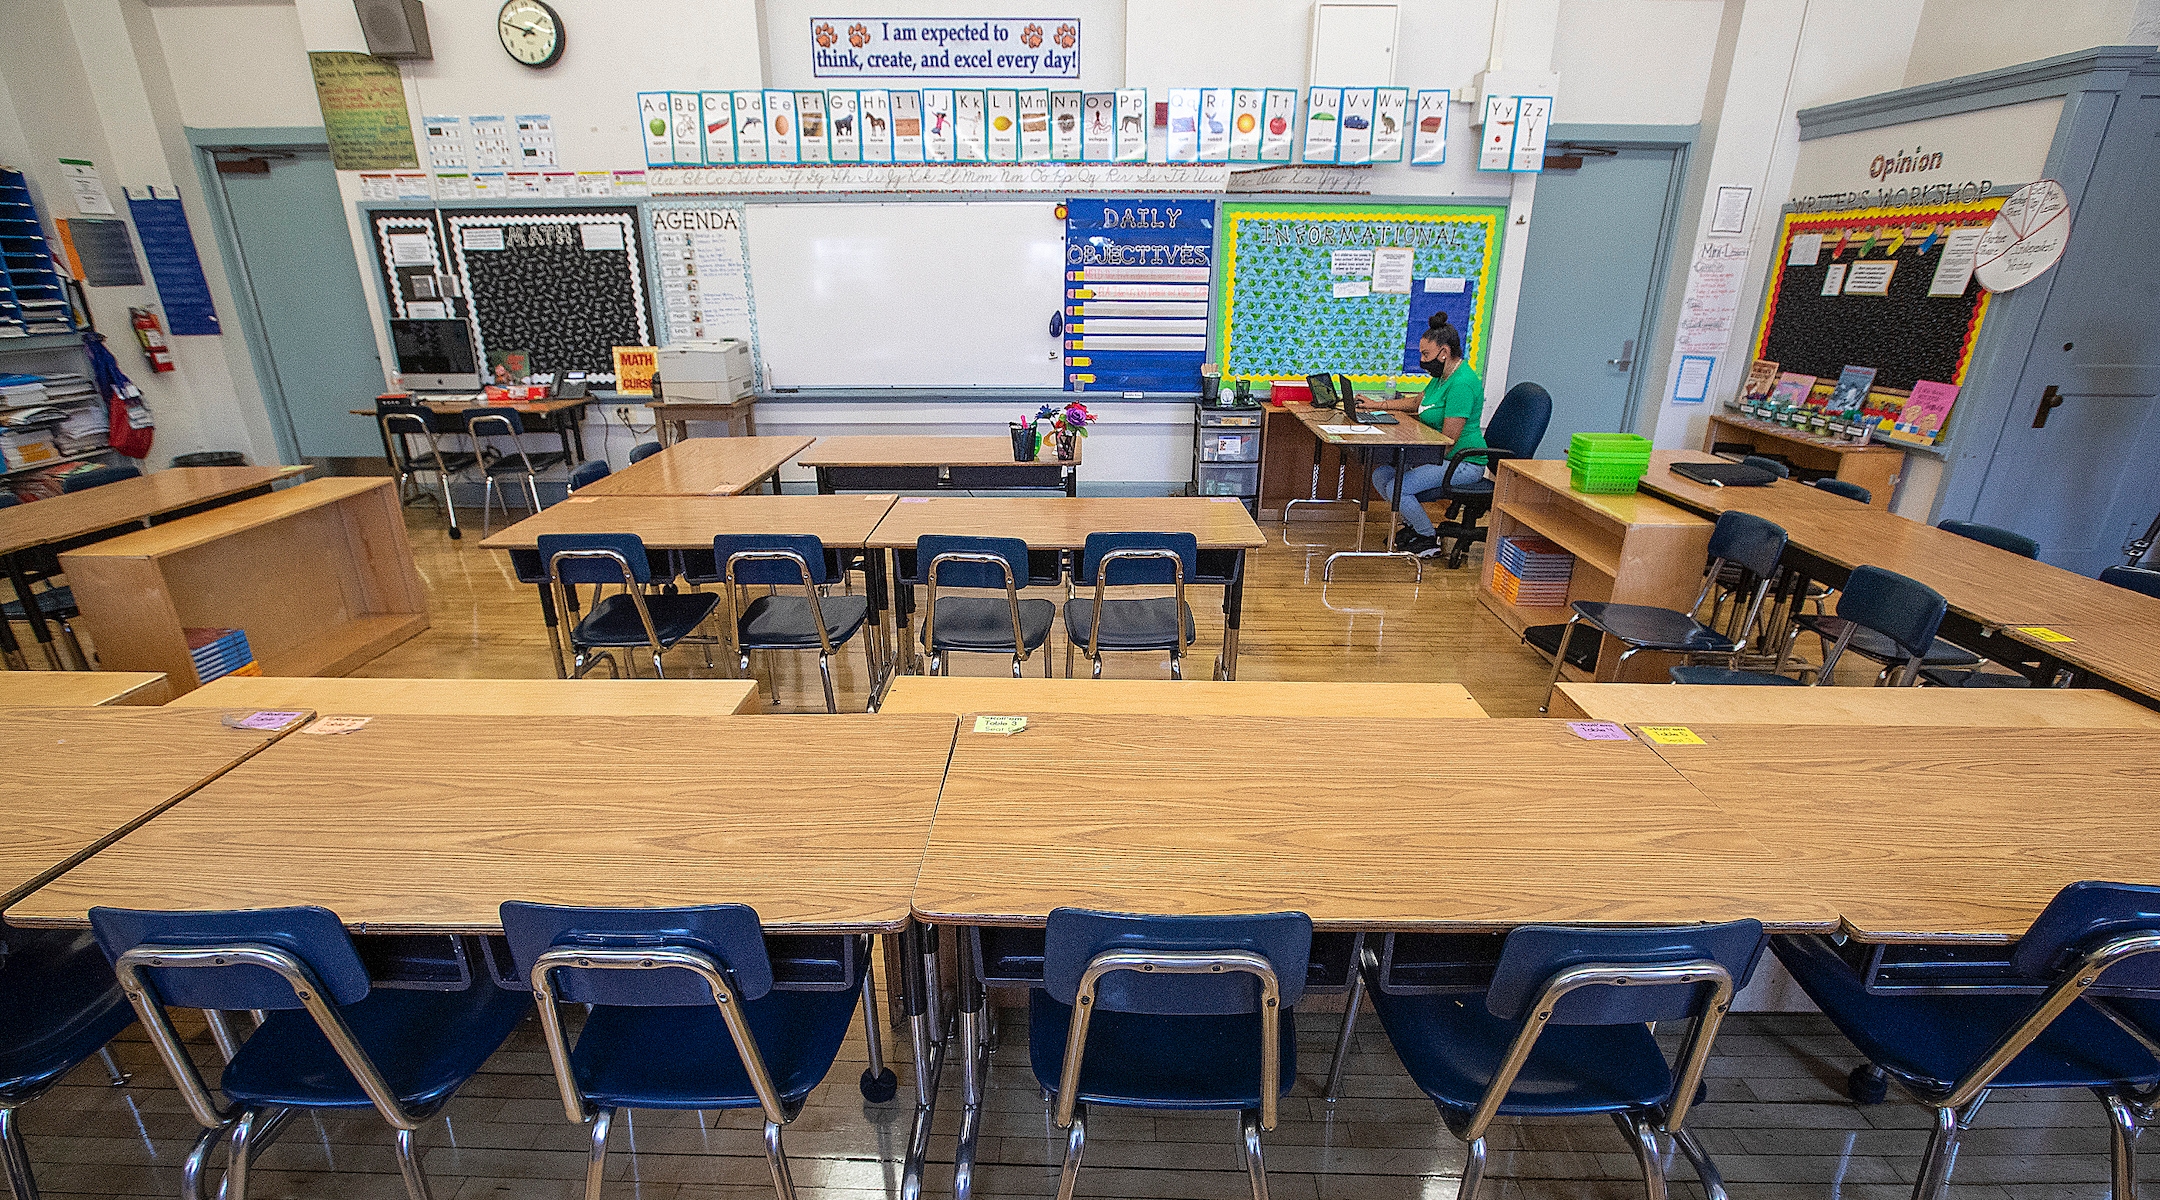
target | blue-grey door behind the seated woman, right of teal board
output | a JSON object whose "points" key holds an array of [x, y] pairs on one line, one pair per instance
{"points": [[1589, 282]]}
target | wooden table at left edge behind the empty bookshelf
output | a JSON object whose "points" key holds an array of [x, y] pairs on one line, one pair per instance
{"points": [[83, 517]]}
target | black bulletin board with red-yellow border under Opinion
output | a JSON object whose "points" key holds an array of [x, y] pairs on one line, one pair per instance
{"points": [[1906, 336]]}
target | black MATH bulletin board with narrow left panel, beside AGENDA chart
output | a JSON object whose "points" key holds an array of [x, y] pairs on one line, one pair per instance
{"points": [[563, 284]]}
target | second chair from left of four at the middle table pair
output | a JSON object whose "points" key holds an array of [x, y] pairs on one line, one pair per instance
{"points": [[809, 621]]}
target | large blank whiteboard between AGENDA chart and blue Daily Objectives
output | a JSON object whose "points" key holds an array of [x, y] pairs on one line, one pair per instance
{"points": [[908, 297]]}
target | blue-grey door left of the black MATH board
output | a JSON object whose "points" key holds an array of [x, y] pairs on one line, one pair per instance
{"points": [[314, 346]]}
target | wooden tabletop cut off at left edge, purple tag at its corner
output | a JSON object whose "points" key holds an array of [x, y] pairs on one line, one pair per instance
{"points": [[81, 778]]}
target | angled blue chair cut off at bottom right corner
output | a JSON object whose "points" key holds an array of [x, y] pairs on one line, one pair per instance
{"points": [[2073, 1011]]}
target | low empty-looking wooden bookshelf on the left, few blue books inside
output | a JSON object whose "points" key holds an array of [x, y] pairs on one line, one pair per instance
{"points": [[321, 577]]}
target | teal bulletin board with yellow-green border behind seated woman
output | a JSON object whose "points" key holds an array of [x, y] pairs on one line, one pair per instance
{"points": [[1351, 288]]}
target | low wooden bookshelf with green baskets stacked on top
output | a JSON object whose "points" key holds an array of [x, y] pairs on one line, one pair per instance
{"points": [[1630, 549]]}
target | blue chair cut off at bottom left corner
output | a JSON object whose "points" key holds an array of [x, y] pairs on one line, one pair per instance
{"points": [[59, 1005]]}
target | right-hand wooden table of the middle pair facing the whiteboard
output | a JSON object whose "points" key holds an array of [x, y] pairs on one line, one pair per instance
{"points": [[1221, 526]]}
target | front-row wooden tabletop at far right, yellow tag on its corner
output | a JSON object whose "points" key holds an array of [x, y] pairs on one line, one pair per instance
{"points": [[1934, 834]]}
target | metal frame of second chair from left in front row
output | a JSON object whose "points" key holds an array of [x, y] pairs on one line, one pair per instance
{"points": [[245, 1128]]}
